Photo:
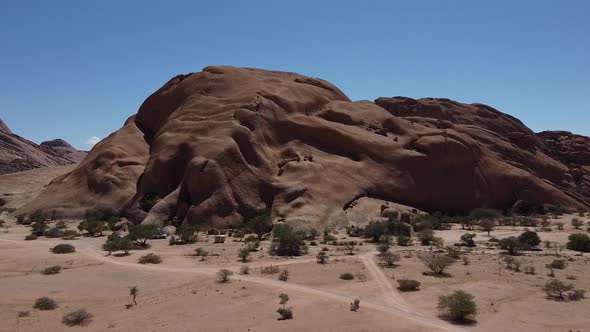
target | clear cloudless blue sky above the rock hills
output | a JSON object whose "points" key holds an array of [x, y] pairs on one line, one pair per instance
{"points": [[77, 69]]}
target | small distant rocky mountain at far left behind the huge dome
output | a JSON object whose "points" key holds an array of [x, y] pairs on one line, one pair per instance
{"points": [[18, 154]]}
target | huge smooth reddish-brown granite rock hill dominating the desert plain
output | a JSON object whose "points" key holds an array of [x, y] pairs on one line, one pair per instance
{"points": [[220, 144]]}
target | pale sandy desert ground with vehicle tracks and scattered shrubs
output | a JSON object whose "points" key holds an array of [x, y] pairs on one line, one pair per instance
{"points": [[182, 292]]}
